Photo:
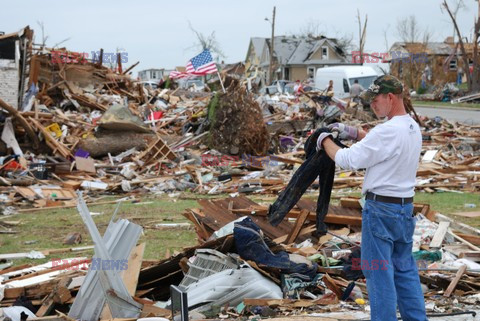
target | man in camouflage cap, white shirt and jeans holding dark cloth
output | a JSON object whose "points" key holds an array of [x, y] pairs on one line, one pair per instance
{"points": [[390, 153]]}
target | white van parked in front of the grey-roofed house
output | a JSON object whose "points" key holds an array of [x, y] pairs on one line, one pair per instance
{"points": [[343, 78]]}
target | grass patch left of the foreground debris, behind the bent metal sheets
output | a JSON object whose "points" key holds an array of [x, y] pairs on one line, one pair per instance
{"points": [[49, 228]]}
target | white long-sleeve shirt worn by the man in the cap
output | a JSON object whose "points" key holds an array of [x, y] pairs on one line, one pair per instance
{"points": [[390, 154]]}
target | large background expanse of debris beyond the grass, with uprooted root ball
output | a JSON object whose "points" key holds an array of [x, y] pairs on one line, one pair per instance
{"points": [[82, 125]]}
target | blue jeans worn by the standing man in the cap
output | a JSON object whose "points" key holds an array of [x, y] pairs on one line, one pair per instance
{"points": [[388, 264]]}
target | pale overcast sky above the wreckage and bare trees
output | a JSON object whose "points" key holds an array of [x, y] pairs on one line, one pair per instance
{"points": [[157, 34]]}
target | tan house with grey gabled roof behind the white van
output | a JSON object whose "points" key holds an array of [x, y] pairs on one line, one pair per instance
{"points": [[294, 58]]}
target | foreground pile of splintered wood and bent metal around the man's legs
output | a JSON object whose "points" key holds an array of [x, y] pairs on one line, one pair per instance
{"points": [[245, 267]]}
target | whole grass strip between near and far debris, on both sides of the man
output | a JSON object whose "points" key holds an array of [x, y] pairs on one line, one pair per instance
{"points": [[49, 228]]}
